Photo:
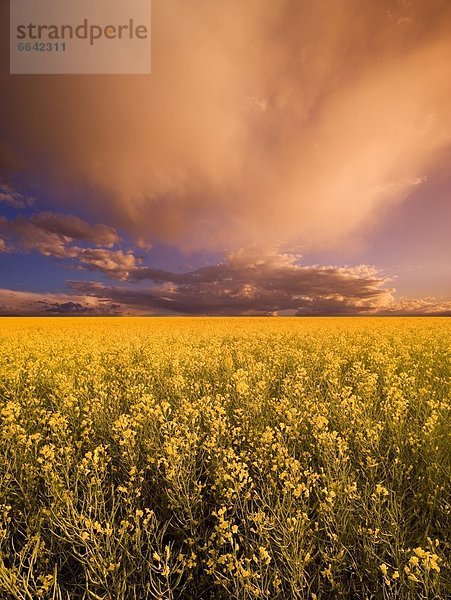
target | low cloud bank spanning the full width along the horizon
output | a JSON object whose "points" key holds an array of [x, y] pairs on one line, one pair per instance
{"points": [[248, 282]]}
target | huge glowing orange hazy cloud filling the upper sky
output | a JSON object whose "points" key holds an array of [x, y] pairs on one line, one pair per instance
{"points": [[261, 121]]}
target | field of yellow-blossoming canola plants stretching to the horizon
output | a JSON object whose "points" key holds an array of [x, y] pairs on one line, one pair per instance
{"points": [[229, 458]]}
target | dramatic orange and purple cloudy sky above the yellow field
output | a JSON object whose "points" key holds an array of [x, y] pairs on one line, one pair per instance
{"points": [[282, 158]]}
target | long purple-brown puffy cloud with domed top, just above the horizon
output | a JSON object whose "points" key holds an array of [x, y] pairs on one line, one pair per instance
{"points": [[251, 283]]}
